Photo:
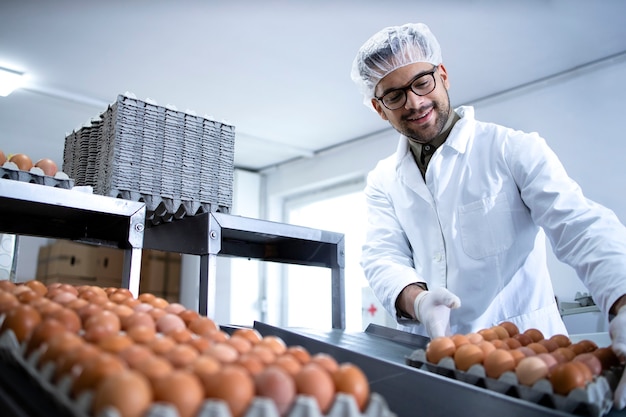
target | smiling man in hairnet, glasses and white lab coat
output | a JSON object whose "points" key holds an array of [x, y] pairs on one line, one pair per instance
{"points": [[456, 217]]}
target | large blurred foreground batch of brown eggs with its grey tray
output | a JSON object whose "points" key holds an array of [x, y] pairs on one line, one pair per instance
{"points": [[102, 352]]}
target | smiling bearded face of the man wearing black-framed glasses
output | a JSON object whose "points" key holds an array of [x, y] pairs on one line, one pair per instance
{"points": [[421, 118]]}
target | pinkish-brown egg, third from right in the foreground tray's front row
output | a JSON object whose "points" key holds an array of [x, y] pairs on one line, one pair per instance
{"points": [[276, 384]]}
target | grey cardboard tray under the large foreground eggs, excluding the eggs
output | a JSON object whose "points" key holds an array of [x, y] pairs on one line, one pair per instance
{"points": [[344, 405]]}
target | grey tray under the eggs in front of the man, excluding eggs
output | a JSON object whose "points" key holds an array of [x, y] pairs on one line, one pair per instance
{"points": [[595, 400]]}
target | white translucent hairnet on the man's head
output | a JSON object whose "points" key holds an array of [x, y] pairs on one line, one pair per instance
{"points": [[389, 49]]}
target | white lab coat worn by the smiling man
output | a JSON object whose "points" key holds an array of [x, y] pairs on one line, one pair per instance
{"points": [[476, 226]]}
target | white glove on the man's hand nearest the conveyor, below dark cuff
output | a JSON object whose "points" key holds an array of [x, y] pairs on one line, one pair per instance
{"points": [[432, 309]]}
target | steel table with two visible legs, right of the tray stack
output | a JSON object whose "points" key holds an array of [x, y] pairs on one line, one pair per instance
{"points": [[212, 234]]}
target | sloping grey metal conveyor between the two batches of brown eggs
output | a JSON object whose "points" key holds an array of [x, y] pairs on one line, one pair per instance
{"points": [[381, 353]]}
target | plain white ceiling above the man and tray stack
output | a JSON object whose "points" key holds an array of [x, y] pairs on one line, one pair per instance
{"points": [[279, 71]]}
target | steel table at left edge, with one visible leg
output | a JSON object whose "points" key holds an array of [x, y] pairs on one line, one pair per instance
{"points": [[45, 211]]}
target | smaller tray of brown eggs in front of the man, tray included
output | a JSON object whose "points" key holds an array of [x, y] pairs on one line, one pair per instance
{"points": [[554, 372]]}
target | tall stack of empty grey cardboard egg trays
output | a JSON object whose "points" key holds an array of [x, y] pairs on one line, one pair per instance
{"points": [[179, 164]]}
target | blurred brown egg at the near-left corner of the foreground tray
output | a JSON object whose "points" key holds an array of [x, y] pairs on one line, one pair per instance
{"points": [[128, 392]]}
